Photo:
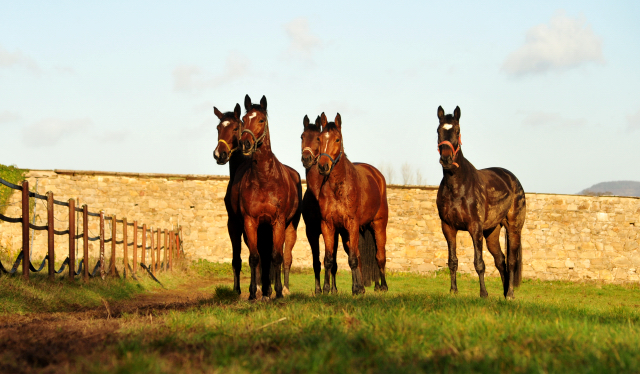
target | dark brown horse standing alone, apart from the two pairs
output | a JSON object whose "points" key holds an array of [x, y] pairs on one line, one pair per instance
{"points": [[480, 202]]}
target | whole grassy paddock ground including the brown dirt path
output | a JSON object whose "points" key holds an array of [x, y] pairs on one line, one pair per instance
{"points": [[415, 327]]}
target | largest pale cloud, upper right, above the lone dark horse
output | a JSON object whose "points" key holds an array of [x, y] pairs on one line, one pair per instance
{"points": [[562, 44]]}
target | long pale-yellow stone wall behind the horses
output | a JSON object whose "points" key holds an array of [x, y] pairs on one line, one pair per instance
{"points": [[565, 236]]}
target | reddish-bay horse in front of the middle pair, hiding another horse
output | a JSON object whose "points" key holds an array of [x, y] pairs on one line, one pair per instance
{"points": [[352, 200]]}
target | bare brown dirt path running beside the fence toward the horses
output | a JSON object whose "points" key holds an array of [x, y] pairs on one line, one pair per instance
{"points": [[50, 342]]}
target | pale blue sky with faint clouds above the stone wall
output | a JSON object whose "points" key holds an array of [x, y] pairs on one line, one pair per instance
{"points": [[549, 89]]}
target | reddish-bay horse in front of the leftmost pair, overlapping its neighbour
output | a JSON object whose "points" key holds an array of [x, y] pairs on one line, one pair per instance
{"points": [[270, 197]]}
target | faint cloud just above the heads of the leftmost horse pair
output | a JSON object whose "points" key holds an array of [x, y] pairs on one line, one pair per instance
{"points": [[190, 78]]}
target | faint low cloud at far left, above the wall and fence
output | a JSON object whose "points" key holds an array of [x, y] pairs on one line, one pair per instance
{"points": [[50, 131]]}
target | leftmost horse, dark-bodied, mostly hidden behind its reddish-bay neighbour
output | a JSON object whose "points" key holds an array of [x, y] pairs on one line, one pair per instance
{"points": [[227, 152]]}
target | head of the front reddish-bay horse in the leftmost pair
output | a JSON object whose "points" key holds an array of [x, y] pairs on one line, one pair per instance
{"points": [[255, 125]]}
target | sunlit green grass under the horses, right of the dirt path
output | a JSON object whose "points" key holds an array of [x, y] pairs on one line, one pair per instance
{"points": [[416, 327]]}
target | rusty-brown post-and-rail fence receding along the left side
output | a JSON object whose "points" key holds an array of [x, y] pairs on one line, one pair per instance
{"points": [[172, 241]]}
